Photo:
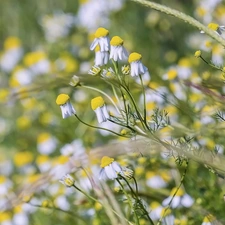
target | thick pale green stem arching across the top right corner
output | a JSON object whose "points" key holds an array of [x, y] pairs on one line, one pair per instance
{"points": [[187, 19]]}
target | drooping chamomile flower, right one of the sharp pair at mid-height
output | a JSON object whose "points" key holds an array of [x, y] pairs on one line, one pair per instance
{"points": [[98, 105]]}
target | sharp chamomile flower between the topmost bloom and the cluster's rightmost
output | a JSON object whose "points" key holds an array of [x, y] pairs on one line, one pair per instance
{"points": [[117, 50]]}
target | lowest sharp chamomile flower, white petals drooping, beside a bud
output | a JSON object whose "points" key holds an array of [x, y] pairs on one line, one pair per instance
{"points": [[110, 169]]}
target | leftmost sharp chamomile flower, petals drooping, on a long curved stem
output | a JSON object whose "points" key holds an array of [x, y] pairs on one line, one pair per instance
{"points": [[67, 109]]}
